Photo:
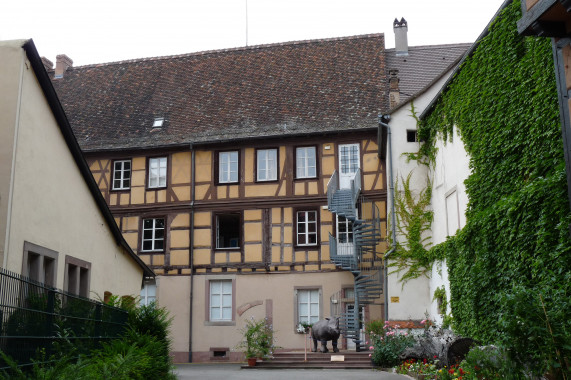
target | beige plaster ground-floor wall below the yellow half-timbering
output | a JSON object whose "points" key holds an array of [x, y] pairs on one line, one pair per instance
{"points": [[275, 291]]}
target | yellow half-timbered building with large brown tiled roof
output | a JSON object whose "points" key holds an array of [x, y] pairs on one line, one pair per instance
{"points": [[249, 179]]}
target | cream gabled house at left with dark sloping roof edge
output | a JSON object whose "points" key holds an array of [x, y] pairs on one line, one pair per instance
{"points": [[55, 226]]}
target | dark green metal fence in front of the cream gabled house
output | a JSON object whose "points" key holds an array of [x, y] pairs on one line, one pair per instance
{"points": [[38, 320]]}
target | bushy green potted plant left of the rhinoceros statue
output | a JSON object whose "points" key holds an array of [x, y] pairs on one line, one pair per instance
{"points": [[257, 340]]}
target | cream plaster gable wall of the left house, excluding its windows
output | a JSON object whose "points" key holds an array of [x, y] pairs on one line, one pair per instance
{"points": [[52, 206]]}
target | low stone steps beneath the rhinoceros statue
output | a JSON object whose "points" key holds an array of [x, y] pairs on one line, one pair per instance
{"points": [[315, 360]]}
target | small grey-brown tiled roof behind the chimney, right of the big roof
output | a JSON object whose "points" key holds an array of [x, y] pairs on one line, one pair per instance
{"points": [[422, 65]]}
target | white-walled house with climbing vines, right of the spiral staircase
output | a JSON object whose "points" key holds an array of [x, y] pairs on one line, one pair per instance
{"points": [[413, 299]]}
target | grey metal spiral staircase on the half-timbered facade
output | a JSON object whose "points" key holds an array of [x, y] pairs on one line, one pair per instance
{"points": [[362, 260]]}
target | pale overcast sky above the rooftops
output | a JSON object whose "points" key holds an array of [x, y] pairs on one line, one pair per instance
{"points": [[112, 30]]}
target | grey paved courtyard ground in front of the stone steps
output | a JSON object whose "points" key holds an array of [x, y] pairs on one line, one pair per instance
{"points": [[233, 371]]}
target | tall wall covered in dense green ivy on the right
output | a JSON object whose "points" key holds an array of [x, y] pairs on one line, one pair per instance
{"points": [[510, 266]]}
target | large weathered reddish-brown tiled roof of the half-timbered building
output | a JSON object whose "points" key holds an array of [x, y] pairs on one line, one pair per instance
{"points": [[260, 91]]}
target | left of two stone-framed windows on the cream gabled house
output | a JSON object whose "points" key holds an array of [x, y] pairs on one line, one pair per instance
{"points": [[39, 264]]}
